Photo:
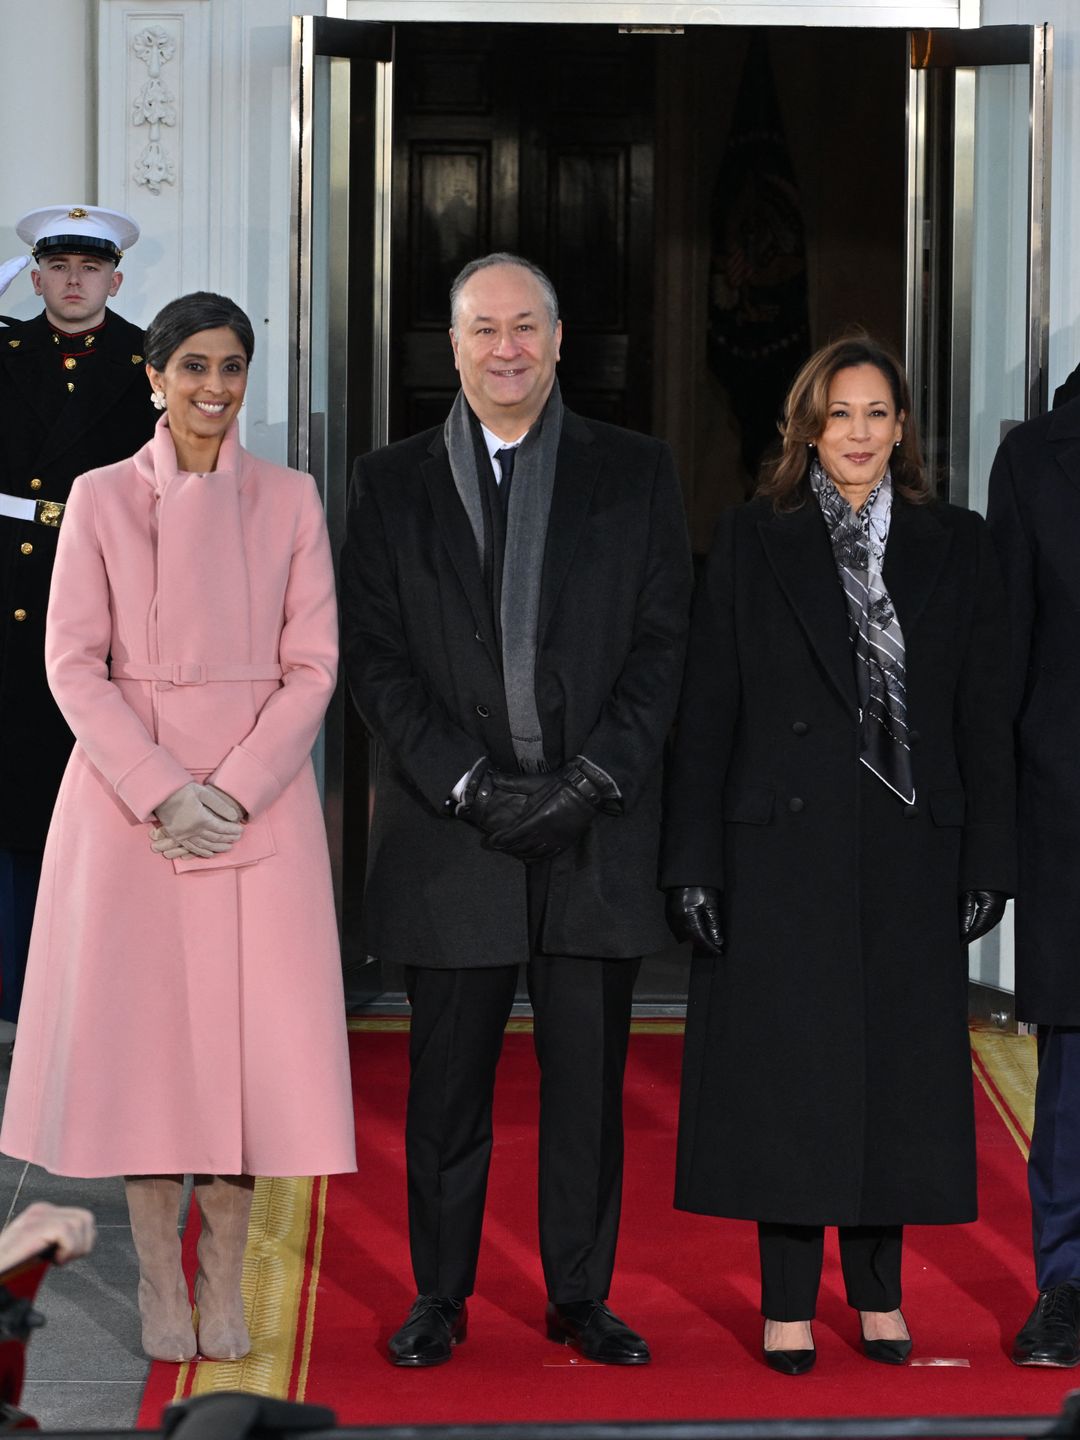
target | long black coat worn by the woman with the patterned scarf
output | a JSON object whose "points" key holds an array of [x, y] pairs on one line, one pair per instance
{"points": [[827, 1069]]}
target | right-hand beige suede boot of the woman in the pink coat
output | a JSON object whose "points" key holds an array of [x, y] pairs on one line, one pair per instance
{"points": [[225, 1206]]}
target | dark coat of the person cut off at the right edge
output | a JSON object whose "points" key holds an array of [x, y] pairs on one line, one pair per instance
{"points": [[1035, 516]]}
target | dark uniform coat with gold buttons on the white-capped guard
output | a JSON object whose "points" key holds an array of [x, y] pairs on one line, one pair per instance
{"points": [[53, 437]]}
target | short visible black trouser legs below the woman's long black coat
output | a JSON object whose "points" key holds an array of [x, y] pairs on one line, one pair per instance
{"points": [[791, 1268]]}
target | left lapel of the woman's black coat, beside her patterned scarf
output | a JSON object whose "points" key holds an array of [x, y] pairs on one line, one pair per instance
{"points": [[798, 549]]}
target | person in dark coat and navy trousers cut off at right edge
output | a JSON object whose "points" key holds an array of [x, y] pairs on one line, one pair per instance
{"points": [[1035, 516]]}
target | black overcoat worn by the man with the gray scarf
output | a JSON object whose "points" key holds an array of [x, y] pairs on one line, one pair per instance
{"points": [[427, 678]]}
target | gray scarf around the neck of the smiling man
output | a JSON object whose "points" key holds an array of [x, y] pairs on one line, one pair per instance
{"points": [[523, 561]]}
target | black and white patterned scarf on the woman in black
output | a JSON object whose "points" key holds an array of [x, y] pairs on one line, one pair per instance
{"points": [[878, 643]]}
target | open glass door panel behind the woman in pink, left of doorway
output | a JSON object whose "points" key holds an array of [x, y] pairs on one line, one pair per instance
{"points": [[342, 87]]}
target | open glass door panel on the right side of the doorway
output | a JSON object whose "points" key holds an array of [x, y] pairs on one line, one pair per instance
{"points": [[978, 271]]}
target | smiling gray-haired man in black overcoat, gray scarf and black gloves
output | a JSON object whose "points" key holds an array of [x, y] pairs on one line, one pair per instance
{"points": [[516, 588]]}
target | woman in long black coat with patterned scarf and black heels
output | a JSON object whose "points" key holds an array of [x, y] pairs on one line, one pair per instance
{"points": [[840, 823]]}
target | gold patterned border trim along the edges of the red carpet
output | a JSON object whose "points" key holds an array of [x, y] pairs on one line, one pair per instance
{"points": [[282, 1307]]}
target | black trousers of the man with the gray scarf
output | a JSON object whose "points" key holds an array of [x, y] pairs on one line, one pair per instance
{"points": [[582, 1010]]}
